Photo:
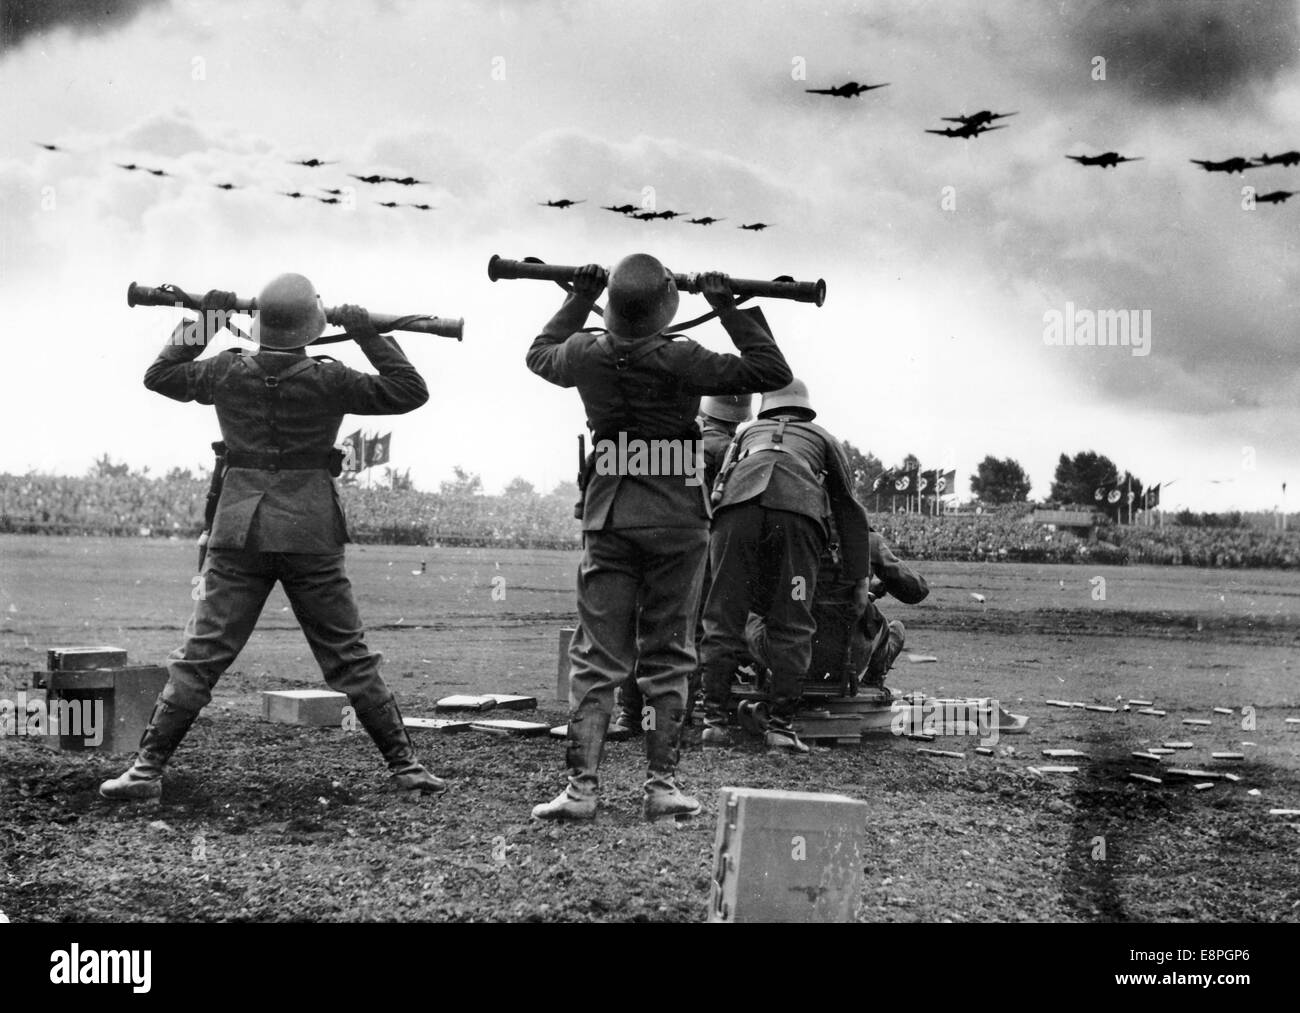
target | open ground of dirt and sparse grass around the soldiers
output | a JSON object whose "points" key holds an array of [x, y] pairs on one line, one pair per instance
{"points": [[268, 822]]}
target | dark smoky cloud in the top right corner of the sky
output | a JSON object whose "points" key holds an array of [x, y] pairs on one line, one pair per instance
{"points": [[1177, 51]]}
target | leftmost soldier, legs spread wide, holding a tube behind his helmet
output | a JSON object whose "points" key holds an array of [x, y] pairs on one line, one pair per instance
{"points": [[279, 517]]}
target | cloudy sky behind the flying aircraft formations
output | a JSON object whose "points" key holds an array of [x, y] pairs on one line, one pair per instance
{"points": [[943, 258]]}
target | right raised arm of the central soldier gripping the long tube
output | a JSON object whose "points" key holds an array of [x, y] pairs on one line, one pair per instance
{"points": [[761, 365]]}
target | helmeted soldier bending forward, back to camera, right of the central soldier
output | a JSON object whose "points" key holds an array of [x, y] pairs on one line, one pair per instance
{"points": [[790, 486]]}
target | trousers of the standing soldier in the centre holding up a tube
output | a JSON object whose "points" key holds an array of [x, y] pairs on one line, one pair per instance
{"points": [[638, 598]]}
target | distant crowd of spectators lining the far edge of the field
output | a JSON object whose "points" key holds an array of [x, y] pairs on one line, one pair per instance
{"points": [[141, 505]]}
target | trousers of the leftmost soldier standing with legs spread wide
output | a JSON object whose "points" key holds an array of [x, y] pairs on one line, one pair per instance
{"points": [[235, 587]]}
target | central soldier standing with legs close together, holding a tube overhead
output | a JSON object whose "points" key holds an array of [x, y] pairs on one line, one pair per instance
{"points": [[644, 536]]}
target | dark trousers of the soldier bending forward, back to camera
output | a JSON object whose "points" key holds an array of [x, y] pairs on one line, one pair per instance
{"points": [[764, 562]]}
